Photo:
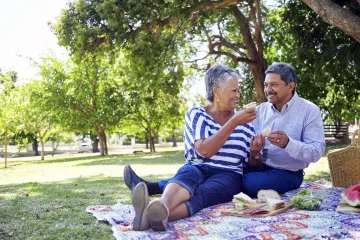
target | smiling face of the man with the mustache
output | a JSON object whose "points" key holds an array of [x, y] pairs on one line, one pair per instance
{"points": [[276, 90]]}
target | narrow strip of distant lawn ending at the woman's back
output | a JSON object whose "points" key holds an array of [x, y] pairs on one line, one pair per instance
{"points": [[174, 157]]}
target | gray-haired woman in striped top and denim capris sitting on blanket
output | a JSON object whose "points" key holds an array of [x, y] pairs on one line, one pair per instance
{"points": [[219, 142]]}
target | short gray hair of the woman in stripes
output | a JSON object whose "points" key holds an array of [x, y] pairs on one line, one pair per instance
{"points": [[217, 75]]}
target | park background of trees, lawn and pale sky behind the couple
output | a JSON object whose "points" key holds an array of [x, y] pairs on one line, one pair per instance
{"points": [[106, 83]]}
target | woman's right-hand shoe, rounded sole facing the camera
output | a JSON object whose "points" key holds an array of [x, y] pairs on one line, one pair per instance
{"points": [[157, 214]]}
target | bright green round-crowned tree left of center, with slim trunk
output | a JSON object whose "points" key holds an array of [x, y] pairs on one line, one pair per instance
{"points": [[86, 94]]}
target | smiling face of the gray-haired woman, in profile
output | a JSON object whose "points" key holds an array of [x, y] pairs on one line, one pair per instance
{"points": [[228, 94]]}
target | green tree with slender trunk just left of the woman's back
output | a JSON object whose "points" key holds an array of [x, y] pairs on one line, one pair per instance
{"points": [[153, 84]]}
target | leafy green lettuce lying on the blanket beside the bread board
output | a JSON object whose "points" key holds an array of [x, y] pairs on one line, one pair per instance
{"points": [[305, 200]]}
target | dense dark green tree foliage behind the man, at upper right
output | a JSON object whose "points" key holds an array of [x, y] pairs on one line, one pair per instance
{"points": [[325, 58]]}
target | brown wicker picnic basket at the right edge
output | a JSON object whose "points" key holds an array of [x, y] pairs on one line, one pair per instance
{"points": [[344, 164]]}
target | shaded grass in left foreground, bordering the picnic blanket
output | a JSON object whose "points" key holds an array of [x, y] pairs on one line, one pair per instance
{"points": [[56, 210]]}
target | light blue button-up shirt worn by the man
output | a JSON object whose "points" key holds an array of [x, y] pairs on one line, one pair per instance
{"points": [[301, 121]]}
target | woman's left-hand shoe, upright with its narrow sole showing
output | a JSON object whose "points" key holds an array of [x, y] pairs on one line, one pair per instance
{"points": [[140, 201]]}
